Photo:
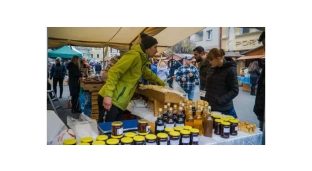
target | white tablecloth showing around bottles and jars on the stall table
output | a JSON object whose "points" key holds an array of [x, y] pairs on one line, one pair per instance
{"points": [[242, 139]]}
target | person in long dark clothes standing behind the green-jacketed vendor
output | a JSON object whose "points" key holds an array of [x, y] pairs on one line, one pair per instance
{"points": [[74, 74]]}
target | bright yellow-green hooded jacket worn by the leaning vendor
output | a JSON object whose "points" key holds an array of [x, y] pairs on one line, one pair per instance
{"points": [[124, 76]]}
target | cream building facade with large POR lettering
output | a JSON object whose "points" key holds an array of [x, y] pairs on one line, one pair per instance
{"points": [[245, 38]]}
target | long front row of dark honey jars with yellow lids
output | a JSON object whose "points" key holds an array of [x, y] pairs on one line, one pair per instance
{"points": [[178, 136]]}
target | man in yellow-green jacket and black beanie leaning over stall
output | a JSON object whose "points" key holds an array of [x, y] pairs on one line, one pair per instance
{"points": [[123, 78]]}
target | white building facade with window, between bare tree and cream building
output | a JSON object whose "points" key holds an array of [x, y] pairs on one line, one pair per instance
{"points": [[208, 38]]}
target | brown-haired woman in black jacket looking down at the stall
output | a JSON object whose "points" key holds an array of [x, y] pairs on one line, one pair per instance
{"points": [[221, 83]]}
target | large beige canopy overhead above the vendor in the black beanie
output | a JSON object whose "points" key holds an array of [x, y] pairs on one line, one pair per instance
{"points": [[118, 37]]}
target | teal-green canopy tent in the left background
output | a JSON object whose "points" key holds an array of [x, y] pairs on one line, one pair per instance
{"points": [[64, 52]]}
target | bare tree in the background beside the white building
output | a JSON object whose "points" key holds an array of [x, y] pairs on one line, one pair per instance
{"points": [[185, 46]]}
